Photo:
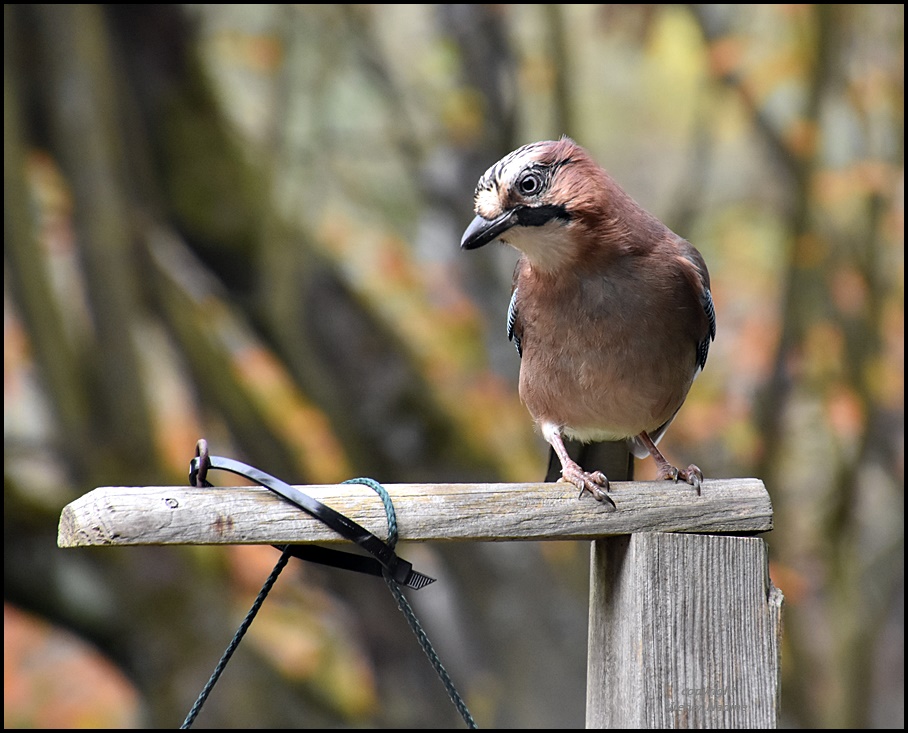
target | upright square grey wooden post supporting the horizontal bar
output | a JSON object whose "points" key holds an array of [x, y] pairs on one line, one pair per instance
{"points": [[684, 633]]}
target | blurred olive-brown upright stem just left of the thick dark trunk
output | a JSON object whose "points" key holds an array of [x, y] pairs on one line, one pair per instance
{"points": [[81, 98]]}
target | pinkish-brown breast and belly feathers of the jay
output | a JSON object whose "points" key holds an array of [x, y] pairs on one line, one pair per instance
{"points": [[597, 356]]}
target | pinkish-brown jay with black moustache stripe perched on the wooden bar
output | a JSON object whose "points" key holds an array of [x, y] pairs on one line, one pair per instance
{"points": [[610, 310]]}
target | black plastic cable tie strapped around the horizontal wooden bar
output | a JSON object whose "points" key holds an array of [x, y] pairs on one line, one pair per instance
{"points": [[384, 556]]}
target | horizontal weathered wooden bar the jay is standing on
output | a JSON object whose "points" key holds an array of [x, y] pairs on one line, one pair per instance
{"points": [[538, 511]]}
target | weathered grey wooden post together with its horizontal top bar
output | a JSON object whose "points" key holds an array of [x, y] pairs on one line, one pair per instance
{"points": [[684, 623]]}
